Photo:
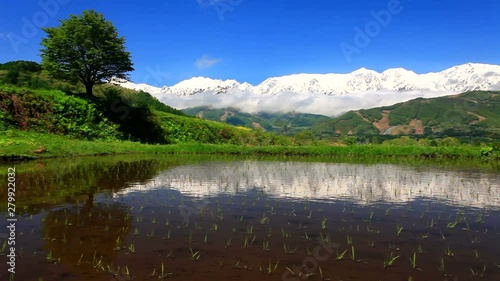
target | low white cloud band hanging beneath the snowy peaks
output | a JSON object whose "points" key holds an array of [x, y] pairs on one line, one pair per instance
{"points": [[286, 102]]}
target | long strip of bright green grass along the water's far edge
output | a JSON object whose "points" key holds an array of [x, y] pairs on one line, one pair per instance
{"points": [[16, 144]]}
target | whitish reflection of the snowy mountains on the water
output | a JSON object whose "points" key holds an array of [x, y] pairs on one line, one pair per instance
{"points": [[363, 183]]}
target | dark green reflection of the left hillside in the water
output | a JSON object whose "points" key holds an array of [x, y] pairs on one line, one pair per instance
{"points": [[43, 188]]}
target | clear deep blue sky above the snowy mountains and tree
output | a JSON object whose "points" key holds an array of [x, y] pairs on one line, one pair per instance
{"points": [[251, 40]]}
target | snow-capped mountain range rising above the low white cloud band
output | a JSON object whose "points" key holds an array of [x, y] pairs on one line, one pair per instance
{"points": [[461, 78]]}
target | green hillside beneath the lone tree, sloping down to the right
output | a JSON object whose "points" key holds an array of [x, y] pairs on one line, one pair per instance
{"points": [[31, 101]]}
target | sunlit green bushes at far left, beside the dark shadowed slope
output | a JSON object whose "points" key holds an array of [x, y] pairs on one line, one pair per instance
{"points": [[52, 111]]}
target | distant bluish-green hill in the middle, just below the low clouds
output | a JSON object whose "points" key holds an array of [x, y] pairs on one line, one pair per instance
{"points": [[281, 123]]}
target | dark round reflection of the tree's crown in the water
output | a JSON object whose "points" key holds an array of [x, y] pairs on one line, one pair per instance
{"points": [[89, 229]]}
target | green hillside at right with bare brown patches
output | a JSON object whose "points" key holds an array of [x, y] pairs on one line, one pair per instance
{"points": [[473, 114]]}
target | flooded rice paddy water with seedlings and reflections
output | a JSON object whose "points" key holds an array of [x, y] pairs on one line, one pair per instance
{"points": [[149, 219]]}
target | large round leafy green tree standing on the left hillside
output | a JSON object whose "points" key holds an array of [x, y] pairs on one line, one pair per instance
{"points": [[85, 48]]}
